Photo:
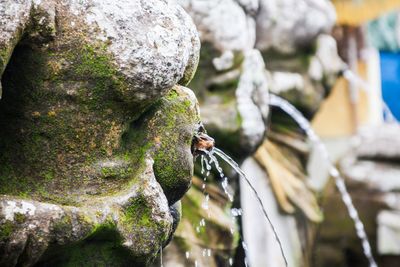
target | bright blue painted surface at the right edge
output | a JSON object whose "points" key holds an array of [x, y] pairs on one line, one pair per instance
{"points": [[390, 75]]}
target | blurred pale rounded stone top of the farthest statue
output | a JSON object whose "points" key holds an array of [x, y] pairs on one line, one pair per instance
{"points": [[290, 24]]}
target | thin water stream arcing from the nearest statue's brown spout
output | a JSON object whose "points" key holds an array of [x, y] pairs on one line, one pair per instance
{"points": [[236, 167]]}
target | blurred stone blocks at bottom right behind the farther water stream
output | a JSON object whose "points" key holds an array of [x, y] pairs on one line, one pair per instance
{"points": [[372, 172]]}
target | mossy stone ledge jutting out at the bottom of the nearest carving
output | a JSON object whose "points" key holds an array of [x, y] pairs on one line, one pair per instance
{"points": [[30, 228]]}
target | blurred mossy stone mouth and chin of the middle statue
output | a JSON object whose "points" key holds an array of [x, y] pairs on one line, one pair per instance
{"points": [[240, 98]]}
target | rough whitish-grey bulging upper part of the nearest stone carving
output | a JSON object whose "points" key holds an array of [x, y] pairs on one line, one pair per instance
{"points": [[152, 44]]}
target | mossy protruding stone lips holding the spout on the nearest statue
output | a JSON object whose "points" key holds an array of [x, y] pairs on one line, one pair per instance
{"points": [[170, 126]]}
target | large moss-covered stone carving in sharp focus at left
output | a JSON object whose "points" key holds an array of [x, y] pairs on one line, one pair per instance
{"points": [[95, 135]]}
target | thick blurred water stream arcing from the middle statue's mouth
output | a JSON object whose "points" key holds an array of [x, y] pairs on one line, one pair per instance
{"points": [[339, 181]]}
